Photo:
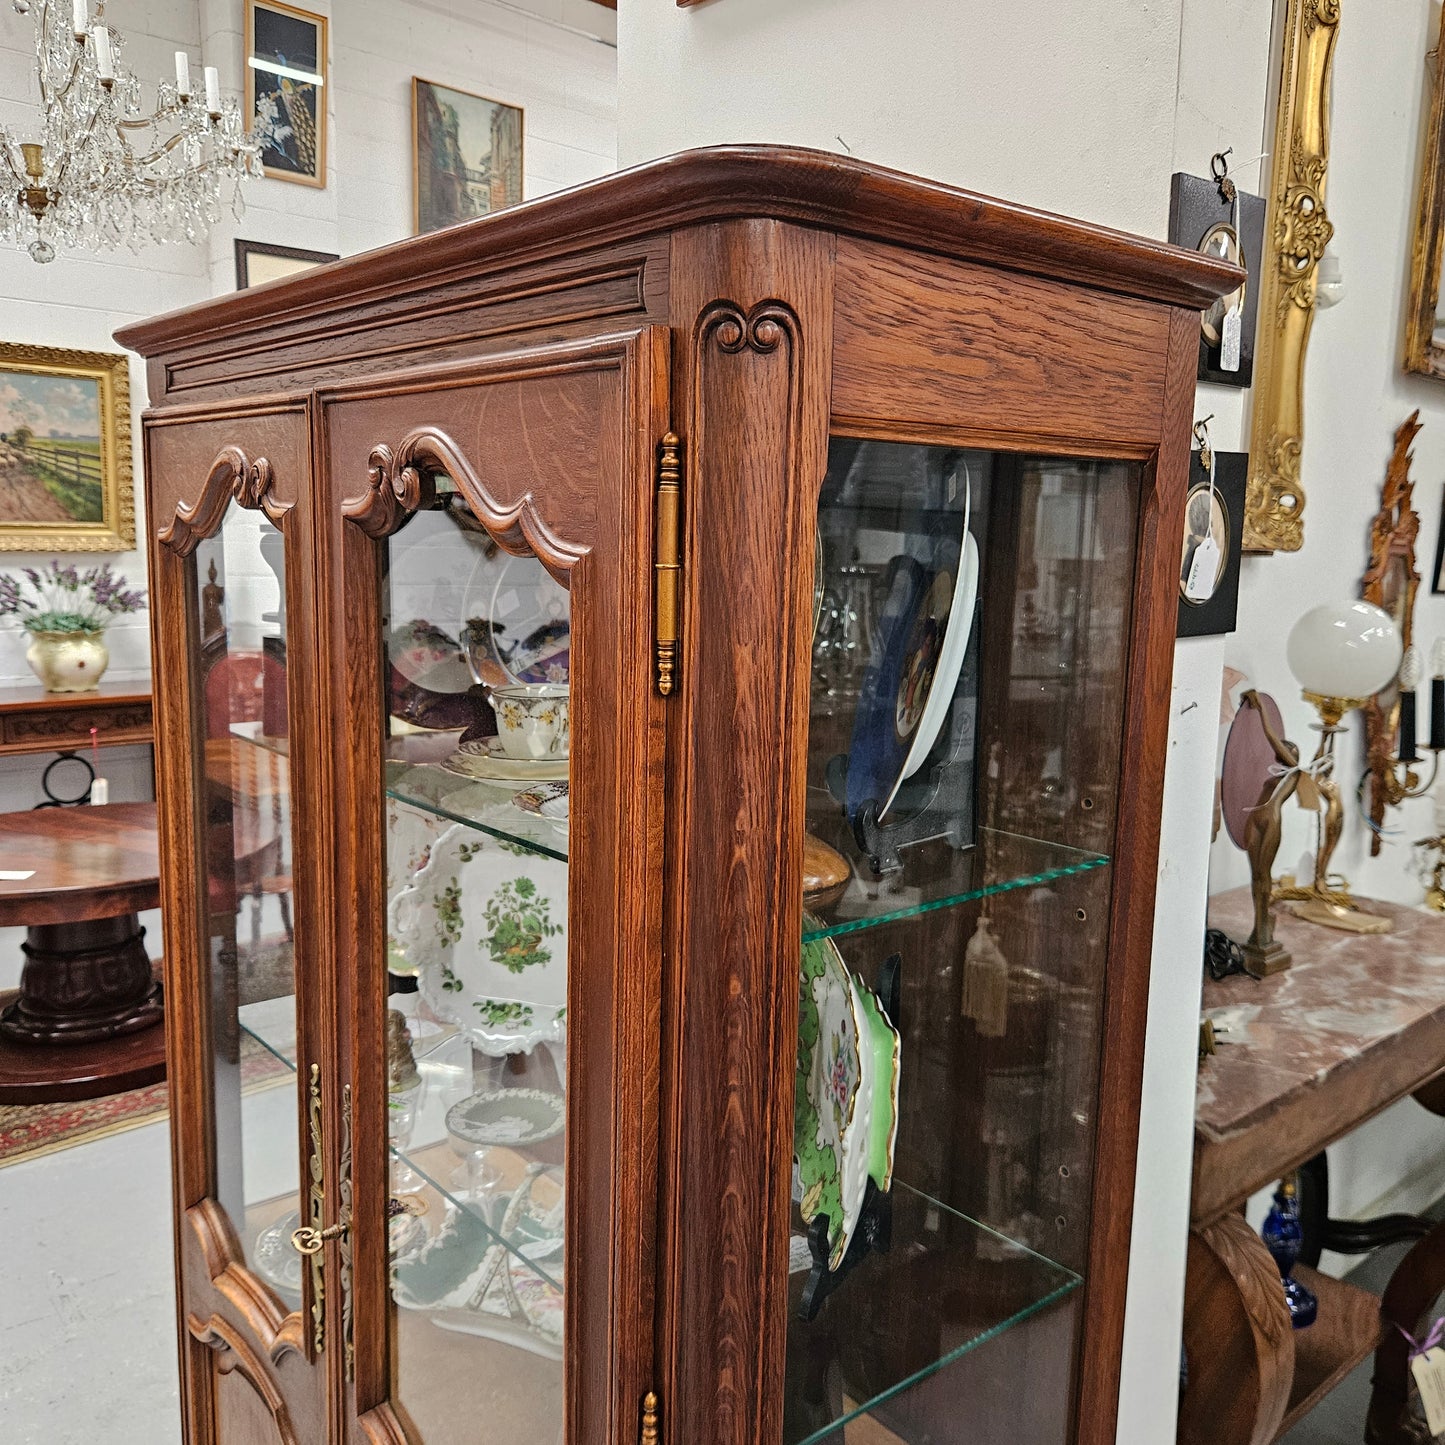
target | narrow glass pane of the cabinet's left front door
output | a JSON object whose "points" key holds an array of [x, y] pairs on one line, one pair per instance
{"points": [[252, 976]]}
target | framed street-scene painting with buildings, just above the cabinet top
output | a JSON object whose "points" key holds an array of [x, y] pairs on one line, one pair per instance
{"points": [[467, 155]]}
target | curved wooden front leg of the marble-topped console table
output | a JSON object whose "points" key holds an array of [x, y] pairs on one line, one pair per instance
{"points": [[1238, 1339]]}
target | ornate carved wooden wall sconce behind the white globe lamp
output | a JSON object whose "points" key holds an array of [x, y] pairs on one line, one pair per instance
{"points": [[1391, 582]]}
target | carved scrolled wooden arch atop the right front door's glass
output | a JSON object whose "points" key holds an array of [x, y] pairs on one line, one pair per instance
{"points": [[401, 485]]}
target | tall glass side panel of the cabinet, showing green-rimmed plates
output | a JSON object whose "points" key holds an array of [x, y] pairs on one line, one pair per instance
{"points": [[970, 644]]}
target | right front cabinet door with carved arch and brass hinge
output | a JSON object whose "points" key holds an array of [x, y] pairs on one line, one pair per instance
{"points": [[506, 743]]}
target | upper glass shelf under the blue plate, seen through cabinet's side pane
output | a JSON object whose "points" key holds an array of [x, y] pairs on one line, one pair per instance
{"points": [[940, 876]]}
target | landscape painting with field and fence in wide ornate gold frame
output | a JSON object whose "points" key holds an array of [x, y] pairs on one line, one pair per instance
{"points": [[66, 480]]}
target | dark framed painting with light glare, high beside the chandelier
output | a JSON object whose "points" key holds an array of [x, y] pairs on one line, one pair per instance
{"points": [[287, 74]]}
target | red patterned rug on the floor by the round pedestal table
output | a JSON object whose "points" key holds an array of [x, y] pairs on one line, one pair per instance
{"points": [[31, 1131]]}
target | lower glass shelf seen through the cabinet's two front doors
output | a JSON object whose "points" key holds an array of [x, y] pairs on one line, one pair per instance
{"points": [[444, 1061]]}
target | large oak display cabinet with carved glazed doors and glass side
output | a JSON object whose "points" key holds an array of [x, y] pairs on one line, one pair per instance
{"points": [[788, 476]]}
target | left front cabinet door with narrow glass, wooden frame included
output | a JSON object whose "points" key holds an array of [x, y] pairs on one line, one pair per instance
{"points": [[245, 1082]]}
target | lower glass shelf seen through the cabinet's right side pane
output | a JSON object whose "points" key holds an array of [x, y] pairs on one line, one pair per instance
{"points": [[947, 1287]]}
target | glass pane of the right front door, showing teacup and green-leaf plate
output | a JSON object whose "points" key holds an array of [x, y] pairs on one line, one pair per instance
{"points": [[478, 660]]}
